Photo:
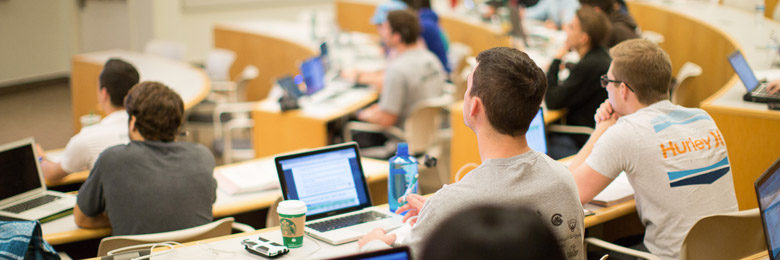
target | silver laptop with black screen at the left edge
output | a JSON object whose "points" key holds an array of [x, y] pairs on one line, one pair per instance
{"points": [[23, 194]]}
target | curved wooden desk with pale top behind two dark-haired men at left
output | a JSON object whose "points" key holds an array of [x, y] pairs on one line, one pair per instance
{"points": [[191, 83]]}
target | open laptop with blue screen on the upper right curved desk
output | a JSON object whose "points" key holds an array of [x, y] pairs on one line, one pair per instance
{"points": [[756, 90]]}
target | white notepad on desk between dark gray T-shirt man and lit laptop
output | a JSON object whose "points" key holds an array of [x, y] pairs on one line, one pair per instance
{"points": [[247, 177]]}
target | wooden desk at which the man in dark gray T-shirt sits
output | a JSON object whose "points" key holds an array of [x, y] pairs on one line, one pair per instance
{"points": [[64, 230]]}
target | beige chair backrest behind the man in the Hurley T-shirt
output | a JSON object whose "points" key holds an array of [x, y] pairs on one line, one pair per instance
{"points": [[725, 236]]}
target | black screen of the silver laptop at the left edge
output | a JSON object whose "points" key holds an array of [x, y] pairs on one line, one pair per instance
{"points": [[18, 172]]}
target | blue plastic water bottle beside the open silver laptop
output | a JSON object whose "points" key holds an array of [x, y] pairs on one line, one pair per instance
{"points": [[403, 168]]}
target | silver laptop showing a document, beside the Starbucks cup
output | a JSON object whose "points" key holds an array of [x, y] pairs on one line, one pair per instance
{"points": [[331, 182]]}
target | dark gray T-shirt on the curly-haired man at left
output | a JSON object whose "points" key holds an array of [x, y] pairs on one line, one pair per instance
{"points": [[149, 187]]}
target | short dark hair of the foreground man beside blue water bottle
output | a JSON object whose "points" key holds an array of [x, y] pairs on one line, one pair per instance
{"points": [[511, 87]]}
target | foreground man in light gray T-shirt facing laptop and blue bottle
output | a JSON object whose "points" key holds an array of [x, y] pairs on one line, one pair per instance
{"points": [[503, 95]]}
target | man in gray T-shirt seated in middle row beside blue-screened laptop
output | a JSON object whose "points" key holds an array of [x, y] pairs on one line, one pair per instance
{"points": [[413, 76]]}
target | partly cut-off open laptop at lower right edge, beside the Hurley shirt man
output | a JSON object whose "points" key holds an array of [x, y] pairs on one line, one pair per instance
{"points": [[768, 194]]}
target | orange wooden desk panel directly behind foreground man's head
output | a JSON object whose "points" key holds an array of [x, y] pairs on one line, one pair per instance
{"points": [[464, 148]]}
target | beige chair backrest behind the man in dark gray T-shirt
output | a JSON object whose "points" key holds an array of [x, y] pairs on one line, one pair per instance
{"points": [[217, 228]]}
